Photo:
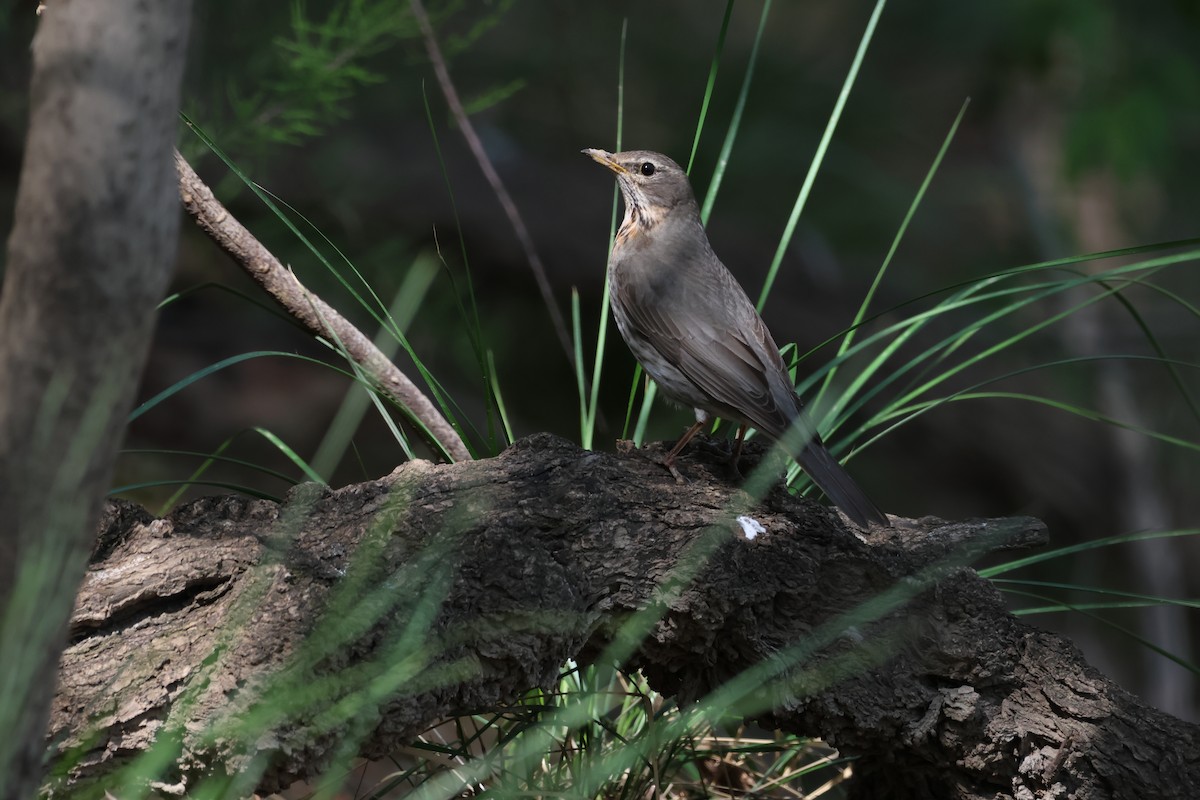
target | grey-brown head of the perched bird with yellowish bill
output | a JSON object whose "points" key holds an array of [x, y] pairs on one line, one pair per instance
{"points": [[652, 184]]}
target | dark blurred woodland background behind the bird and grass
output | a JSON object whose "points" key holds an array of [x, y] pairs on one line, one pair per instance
{"points": [[1083, 135]]}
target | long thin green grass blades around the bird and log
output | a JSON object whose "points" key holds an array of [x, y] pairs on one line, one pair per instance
{"points": [[603, 732]]}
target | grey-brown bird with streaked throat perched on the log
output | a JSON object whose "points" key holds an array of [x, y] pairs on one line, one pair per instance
{"points": [[694, 330]]}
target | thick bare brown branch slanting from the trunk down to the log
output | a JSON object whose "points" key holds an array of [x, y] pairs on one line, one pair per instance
{"points": [[315, 314]]}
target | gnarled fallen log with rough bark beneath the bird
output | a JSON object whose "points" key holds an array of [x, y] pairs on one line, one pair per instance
{"points": [[449, 590]]}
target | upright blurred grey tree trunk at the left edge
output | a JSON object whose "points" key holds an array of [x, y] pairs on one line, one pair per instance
{"points": [[89, 257]]}
